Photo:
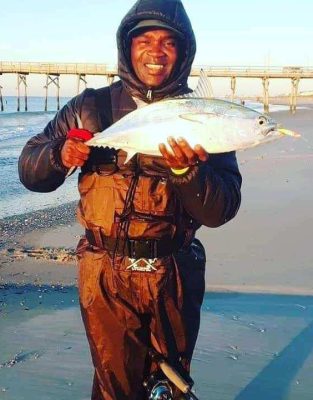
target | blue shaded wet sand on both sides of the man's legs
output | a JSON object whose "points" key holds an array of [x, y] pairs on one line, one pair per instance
{"points": [[251, 346]]}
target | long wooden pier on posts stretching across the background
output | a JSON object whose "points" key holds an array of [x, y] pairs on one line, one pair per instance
{"points": [[53, 71]]}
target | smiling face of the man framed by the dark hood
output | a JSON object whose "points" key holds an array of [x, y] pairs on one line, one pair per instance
{"points": [[153, 56]]}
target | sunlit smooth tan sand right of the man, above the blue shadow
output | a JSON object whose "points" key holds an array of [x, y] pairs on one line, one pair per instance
{"points": [[267, 248]]}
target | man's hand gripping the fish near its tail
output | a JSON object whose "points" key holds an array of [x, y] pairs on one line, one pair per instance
{"points": [[74, 153]]}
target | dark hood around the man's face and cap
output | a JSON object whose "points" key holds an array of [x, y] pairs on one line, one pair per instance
{"points": [[173, 13]]}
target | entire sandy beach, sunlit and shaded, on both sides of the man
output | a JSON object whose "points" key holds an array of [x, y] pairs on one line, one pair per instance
{"points": [[257, 315]]}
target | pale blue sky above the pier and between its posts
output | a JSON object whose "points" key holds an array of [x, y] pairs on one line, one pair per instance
{"points": [[228, 32]]}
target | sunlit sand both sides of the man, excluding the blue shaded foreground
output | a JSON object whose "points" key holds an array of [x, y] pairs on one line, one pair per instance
{"points": [[266, 248]]}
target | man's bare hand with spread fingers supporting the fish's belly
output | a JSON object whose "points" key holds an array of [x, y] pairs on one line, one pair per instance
{"points": [[182, 154]]}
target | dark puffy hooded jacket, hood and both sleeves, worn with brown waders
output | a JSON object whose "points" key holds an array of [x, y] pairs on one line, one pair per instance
{"points": [[209, 192]]}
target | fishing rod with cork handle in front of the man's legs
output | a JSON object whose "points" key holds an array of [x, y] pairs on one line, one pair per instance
{"points": [[173, 376]]}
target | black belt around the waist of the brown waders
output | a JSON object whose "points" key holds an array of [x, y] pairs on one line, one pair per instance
{"points": [[134, 248]]}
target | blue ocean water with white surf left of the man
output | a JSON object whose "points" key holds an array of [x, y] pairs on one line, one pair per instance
{"points": [[16, 128]]}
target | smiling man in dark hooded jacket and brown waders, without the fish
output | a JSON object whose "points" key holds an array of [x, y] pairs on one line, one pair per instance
{"points": [[141, 270]]}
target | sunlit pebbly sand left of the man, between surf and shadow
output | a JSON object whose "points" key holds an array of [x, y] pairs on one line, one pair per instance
{"points": [[39, 248]]}
